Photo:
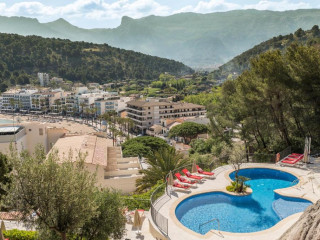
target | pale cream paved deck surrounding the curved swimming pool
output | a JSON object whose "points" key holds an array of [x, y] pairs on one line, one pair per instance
{"points": [[307, 188]]}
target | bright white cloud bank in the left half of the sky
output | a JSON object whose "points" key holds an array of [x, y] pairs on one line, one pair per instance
{"points": [[93, 9]]}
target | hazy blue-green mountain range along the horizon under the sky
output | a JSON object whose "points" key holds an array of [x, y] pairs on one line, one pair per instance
{"points": [[198, 40]]}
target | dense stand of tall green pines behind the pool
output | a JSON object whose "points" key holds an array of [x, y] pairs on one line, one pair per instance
{"points": [[276, 103]]}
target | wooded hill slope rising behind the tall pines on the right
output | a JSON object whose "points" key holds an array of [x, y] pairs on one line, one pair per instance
{"points": [[242, 62]]}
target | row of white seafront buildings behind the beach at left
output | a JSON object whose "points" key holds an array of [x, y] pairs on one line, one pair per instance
{"points": [[60, 102]]}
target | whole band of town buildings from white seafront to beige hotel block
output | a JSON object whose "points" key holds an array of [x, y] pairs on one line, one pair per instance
{"points": [[151, 116]]}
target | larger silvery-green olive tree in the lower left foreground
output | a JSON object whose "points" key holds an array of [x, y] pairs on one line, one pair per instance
{"points": [[59, 191]]}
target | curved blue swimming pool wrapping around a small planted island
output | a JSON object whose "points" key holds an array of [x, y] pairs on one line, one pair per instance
{"points": [[242, 214]]}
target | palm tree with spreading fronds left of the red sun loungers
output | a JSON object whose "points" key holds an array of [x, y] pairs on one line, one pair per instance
{"points": [[161, 163]]}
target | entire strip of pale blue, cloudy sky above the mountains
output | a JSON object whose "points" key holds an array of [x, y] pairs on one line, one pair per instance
{"points": [[108, 13]]}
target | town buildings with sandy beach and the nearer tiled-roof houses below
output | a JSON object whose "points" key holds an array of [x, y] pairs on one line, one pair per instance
{"points": [[46, 107]]}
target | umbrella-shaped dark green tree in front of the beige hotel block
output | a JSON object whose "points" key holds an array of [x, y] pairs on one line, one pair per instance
{"points": [[188, 130]]}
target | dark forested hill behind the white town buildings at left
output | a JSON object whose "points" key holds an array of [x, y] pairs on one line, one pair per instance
{"points": [[21, 58]]}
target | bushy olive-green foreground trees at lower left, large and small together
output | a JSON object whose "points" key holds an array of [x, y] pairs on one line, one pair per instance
{"points": [[58, 197]]}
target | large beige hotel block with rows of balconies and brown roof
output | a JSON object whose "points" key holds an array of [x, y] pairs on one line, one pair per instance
{"points": [[150, 112]]}
